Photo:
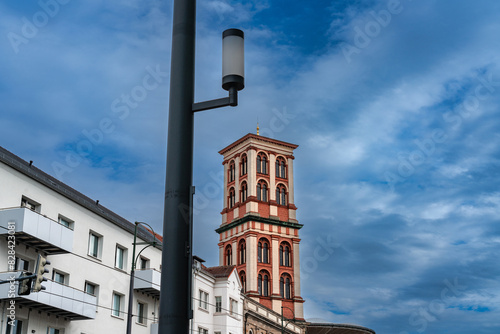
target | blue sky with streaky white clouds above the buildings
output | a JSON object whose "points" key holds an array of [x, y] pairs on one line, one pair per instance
{"points": [[395, 107]]}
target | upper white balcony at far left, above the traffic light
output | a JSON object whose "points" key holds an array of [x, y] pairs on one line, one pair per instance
{"points": [[37, 231]]}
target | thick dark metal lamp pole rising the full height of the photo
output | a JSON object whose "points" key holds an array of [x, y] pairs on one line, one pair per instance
{"points": [[175, 304]]}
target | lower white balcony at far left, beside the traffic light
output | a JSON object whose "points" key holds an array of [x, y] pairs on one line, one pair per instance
{"points": [[57, 299]]}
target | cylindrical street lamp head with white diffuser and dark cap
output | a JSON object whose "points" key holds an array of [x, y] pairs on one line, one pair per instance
{"points": [[233, 59]]}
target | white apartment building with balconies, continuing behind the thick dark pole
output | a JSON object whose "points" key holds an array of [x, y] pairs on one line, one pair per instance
{"points": [[90, 252]]}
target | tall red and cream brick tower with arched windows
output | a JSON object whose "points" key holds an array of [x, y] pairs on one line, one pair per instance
{"points": [[259, 231]]}
